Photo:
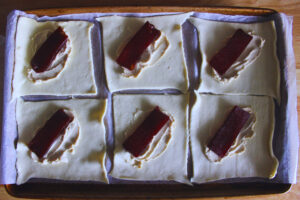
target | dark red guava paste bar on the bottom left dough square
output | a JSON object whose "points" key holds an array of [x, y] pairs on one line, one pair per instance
{"points": [[46, 135]]}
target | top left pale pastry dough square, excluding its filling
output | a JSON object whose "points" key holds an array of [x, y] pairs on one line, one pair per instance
{"points": [[76, 78]]}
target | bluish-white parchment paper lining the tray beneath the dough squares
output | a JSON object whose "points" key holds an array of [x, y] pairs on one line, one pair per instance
{"points": [[286, 131]]}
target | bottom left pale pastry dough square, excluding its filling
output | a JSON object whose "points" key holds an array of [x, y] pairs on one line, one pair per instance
{"points": [[86, 158]]}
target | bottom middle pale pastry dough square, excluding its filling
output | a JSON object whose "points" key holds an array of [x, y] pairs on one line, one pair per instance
{"points": [[129, 111]]}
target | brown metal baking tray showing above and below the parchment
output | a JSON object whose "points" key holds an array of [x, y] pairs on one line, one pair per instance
{"points": [[69, 189]]}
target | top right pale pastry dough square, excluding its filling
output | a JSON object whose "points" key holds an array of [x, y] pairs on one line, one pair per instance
{"points": [[261, 77]]}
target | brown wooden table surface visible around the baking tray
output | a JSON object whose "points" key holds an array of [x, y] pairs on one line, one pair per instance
{"points": [[289, 7]]}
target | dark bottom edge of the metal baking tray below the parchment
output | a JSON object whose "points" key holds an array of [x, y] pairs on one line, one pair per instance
{"points": [[141, 191]]}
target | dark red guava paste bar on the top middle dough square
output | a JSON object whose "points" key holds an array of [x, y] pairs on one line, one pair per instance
{"points": [[134, 49]]}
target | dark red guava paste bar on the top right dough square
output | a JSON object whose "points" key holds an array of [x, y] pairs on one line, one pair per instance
{"points": [[222, 61]]}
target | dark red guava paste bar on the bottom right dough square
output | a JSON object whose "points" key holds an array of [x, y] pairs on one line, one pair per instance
{"points": [[228, 132]]}
